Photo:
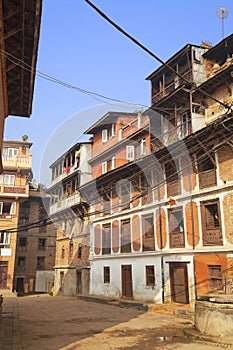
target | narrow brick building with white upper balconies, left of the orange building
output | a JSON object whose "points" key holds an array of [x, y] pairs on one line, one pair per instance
{"points": [[68, 210]]}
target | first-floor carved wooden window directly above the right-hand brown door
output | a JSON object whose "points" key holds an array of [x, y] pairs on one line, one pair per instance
{"points": [[176, 228]]}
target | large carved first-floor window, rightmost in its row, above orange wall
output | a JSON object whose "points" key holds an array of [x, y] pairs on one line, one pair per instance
{"points": [[211, 224]]}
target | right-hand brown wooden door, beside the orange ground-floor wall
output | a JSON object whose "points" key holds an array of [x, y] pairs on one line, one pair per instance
{"points": [[179, 283]]}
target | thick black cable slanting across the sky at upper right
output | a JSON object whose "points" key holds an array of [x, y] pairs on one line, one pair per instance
{"points": [[102, 14]]}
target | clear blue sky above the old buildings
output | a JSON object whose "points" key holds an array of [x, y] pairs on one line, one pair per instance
{"points": [[79, 47]]}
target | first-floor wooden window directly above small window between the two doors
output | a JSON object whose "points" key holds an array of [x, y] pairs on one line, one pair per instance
{"points": [[148, 235]]}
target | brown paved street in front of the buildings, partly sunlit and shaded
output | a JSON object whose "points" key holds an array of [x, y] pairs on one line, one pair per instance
{"points": [[61, 323]]}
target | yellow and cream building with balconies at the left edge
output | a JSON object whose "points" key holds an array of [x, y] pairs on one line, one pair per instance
{"points": [[14, 187]]}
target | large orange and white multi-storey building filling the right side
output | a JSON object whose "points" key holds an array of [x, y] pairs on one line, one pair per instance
{"points": [[161, 193]]}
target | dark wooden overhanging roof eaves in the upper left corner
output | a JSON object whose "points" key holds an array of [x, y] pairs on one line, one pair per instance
{"points": [[19, 37]]}
